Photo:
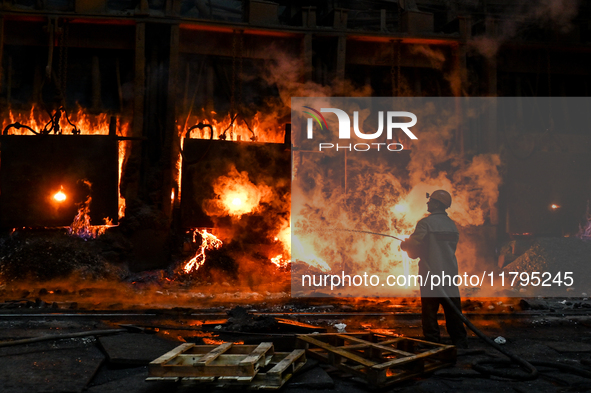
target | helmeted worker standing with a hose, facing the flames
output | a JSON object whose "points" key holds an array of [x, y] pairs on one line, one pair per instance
{"points": [[434, 241]]}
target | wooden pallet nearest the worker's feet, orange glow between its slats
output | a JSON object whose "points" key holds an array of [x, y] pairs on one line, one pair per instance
{"points": [[379, 359]]}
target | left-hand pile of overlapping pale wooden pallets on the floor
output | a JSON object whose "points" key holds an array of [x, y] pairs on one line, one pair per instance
{"points": [[227, 365]]}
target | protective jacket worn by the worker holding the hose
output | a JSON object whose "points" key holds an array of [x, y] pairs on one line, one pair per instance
{"points": [[436, 238]]}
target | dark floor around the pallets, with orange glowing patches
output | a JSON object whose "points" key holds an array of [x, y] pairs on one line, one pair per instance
{"points": [[117, 363]]}
